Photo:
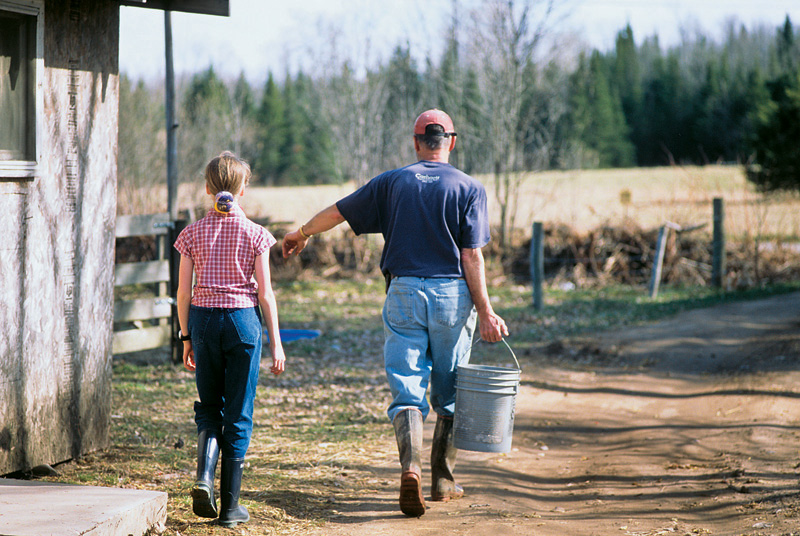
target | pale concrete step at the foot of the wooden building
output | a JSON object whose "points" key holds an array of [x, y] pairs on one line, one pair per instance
{"points": [[29, 508]]}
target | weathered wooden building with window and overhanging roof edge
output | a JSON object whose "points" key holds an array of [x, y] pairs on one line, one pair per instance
{"points": [[58, 181]]}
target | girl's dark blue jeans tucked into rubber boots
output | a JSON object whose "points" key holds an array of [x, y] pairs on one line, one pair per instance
{"points": [[227, 353]]}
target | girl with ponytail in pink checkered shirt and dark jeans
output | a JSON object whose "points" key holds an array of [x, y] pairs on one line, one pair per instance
{"points": [[220, 326]]}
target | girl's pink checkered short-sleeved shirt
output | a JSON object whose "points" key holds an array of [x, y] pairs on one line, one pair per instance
{"points": [[223, 249]]}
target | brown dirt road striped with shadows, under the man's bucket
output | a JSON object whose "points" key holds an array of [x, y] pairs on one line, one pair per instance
{"points": [[688, 426]]}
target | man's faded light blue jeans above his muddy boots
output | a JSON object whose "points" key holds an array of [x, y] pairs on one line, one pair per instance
{"points": [[428, 327]]}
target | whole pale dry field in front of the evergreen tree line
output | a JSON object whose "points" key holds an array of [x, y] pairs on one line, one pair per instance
{"points": [[582, 200]]}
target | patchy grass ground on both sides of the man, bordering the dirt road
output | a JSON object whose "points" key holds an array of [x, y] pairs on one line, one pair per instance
{"points": [[320, 429]]}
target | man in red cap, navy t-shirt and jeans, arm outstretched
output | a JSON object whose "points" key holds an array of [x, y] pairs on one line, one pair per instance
{"points": [[434, 220]]}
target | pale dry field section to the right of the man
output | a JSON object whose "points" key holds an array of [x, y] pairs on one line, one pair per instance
{"points": [[585, 200]]}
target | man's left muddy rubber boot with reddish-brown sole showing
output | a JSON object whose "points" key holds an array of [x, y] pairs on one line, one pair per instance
{"points": [[408, 431]]}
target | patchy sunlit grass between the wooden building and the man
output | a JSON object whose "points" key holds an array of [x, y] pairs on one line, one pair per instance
{"points": [[317, 428]]}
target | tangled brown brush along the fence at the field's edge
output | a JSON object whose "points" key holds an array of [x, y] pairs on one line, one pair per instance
{"points": [[606, 255]]}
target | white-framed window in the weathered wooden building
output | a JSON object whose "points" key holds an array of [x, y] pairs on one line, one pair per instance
{"points": [[18, 110]]}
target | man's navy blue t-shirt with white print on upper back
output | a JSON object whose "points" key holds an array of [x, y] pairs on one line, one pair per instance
{"points": [[427, 212]]}
